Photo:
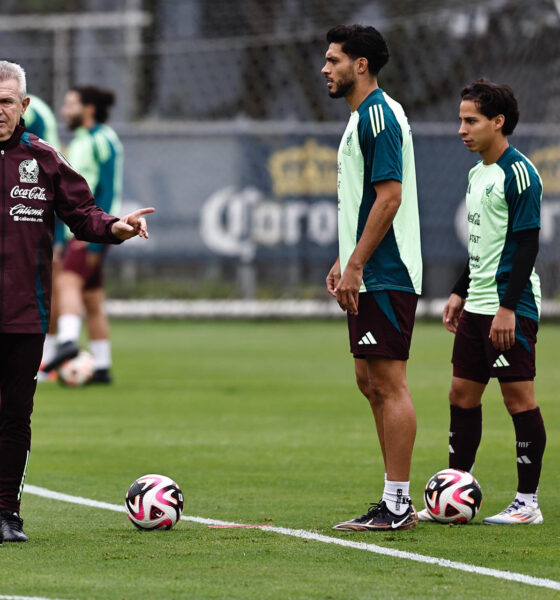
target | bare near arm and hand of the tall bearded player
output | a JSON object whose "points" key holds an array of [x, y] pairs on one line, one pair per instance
{"points": [[379, 220]]}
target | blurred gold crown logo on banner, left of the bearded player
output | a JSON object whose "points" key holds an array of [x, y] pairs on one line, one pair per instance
{"points": [[308, 170]]}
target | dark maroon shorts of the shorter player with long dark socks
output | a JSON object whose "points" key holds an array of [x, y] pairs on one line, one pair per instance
{"points": [[475, 358]]}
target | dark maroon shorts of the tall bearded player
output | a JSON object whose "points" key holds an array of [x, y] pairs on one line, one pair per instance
{"points": [[383, 325]]}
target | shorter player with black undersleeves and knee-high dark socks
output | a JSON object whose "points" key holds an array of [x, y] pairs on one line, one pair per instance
{"points": [[494, 307]]}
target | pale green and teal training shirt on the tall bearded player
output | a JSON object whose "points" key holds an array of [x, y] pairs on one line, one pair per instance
{"points": [[377, 146]]}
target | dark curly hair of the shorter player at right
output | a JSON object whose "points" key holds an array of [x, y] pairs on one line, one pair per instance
{"points": [[493, 99]]}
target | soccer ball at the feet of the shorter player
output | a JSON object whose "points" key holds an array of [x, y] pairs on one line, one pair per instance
{"points": [[453, 496]]}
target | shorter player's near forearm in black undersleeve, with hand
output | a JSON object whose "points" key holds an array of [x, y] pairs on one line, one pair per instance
{"points": [[502, 332]]}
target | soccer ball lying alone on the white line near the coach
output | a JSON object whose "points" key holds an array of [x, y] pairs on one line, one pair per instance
{"points": [[154, 502]]}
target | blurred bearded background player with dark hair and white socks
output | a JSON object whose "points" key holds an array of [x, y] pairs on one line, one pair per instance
{"points": [[95, 152]]}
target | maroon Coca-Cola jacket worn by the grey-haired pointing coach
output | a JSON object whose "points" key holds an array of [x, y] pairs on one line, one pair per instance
{"points": [[36, 182]]}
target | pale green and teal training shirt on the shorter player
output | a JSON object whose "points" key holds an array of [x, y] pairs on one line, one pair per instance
{"points": [[502, 198]]}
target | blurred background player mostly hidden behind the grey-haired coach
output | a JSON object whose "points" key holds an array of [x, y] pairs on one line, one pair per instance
{"points": [[40, 120]]}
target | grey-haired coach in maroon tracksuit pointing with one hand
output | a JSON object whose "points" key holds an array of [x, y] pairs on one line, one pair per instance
{"points": [[35, 183]]}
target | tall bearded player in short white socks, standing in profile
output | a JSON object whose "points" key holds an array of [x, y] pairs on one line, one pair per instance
{"points": [[377, 277]]}
